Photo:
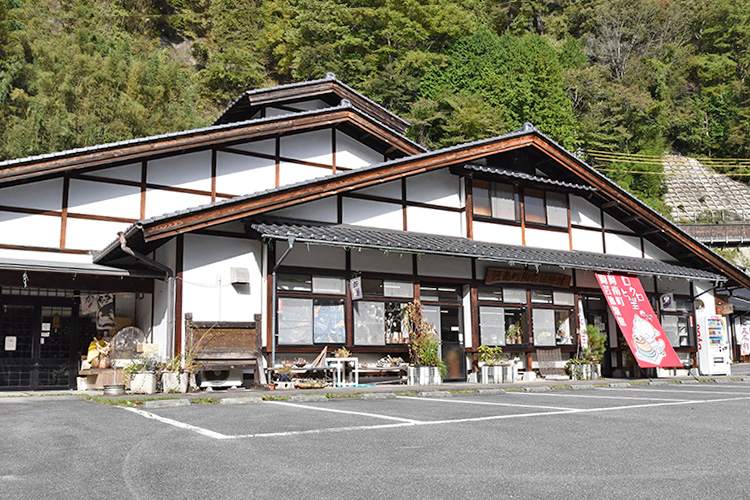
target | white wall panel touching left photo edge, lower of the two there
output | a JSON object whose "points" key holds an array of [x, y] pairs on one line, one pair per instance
{"points": [[33, 230]]}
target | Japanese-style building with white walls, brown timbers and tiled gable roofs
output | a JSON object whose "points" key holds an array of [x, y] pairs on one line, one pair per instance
{"points": [[297, 191]]}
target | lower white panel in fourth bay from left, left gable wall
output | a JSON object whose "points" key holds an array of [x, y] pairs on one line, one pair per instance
{"points": [[238, 174]]}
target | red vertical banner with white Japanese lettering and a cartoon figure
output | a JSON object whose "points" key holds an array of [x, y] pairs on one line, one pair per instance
{"points": [[638, 322]]}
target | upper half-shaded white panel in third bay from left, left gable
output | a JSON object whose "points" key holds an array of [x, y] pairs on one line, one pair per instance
{"points": [[189, 171]]}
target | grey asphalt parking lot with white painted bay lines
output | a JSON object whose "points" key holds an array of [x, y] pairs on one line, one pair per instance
{"points": [[666, 441]]}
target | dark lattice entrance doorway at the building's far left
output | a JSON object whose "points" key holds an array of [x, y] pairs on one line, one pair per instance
{"points": [[39, 344]]}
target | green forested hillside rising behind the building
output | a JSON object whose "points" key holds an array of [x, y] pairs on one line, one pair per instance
{"points": [[626, 76]]}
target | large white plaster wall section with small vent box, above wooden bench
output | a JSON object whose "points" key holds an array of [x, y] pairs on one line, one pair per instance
{"points": [[207, 292]]}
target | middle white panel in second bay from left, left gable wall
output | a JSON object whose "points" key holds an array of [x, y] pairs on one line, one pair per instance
{"points": [[100, 198]]}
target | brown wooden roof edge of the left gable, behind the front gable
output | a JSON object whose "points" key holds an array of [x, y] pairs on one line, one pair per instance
{"points": [[123, 152]]}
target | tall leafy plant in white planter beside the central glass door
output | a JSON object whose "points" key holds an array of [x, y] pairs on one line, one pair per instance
{"points": [[424, 349]]}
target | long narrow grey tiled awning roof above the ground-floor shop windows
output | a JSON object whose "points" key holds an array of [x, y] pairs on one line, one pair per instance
{"points": [[358, 237]]}
